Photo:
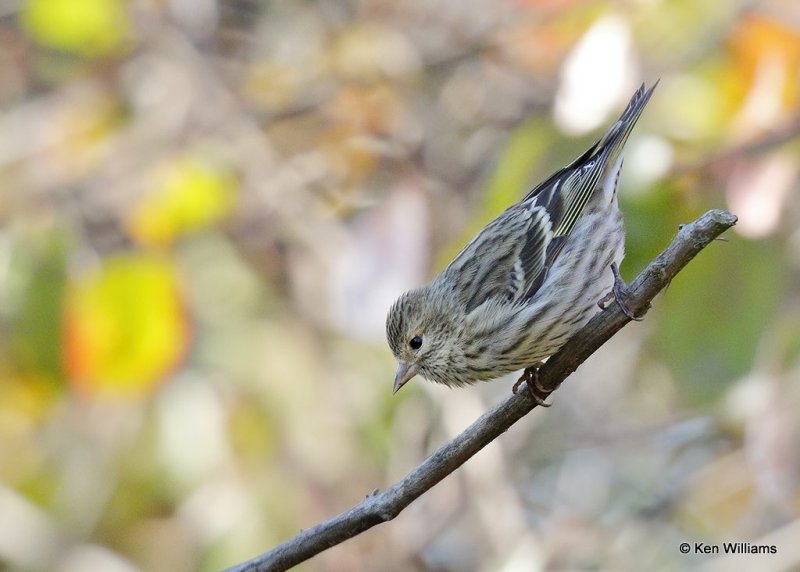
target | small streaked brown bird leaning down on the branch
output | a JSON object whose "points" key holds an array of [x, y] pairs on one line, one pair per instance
{"points": [[527, 281]]}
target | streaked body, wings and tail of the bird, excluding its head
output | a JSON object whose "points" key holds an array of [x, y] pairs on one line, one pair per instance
{"points": [[557, 266]]}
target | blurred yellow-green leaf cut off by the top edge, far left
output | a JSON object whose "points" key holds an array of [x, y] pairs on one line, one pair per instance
{"points": [[83, 27]]}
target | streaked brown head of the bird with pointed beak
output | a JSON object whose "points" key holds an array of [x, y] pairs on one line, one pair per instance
{"points": [[420, 332]]}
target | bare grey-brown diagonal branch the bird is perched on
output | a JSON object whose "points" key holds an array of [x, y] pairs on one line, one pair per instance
{"points": [[381, 507]]}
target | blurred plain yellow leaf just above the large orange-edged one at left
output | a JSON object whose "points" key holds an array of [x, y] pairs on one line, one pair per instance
{"points": [[188, 195]]}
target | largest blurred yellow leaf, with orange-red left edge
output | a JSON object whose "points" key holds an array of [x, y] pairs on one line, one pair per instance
{"points": [[124, 326]]}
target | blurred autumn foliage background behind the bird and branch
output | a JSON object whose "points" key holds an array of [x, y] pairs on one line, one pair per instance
{"points": [[206, 209]]}
